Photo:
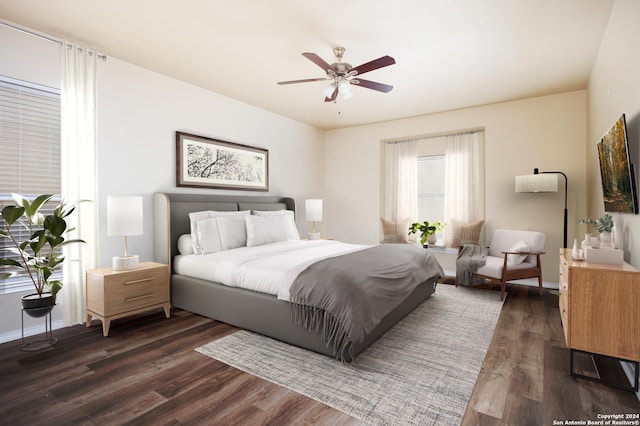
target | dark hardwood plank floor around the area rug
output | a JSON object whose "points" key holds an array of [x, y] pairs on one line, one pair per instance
{"points": [[147, 372]]}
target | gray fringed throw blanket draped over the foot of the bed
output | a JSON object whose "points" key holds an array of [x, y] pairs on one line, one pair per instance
{"points": [[344, 297]]}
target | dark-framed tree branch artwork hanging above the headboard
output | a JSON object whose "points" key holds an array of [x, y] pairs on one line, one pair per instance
{"points": [[203, 162]]}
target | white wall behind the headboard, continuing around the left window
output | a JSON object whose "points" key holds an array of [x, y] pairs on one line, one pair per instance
{"points": [[139, 112]]}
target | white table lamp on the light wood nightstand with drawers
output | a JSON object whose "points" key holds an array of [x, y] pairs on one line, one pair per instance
{"points": [[124, 219]]}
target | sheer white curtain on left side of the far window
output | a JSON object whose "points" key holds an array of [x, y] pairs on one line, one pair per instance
{"points": [[400, 181]]}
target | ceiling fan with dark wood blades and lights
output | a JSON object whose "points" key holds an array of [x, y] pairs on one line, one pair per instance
{"points": [[343, 75]]}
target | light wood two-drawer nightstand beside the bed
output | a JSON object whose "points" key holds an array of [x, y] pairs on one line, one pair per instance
{"points": [[116, 294]]}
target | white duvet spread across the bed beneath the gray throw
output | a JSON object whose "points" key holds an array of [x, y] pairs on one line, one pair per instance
{"points": [[269, 268]]}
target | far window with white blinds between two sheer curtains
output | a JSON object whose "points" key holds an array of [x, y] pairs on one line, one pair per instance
{"points": [[430, 186]]}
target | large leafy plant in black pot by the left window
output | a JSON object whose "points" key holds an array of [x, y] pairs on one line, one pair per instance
{"points": [[40, 253]]}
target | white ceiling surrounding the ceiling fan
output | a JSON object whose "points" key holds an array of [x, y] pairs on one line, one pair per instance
{"points": [[450, 54]]}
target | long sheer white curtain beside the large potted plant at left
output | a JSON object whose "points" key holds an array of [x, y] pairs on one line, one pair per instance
{"points": [[79, 172]]}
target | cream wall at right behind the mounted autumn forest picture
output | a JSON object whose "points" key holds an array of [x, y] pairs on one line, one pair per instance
{"points": [[614, 89]]}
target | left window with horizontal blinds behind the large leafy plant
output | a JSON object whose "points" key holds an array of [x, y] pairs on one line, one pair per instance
{"points": [[30, 146]]}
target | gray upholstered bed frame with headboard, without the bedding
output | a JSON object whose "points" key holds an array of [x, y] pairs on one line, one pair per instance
{"points": [[256, 311]]}
